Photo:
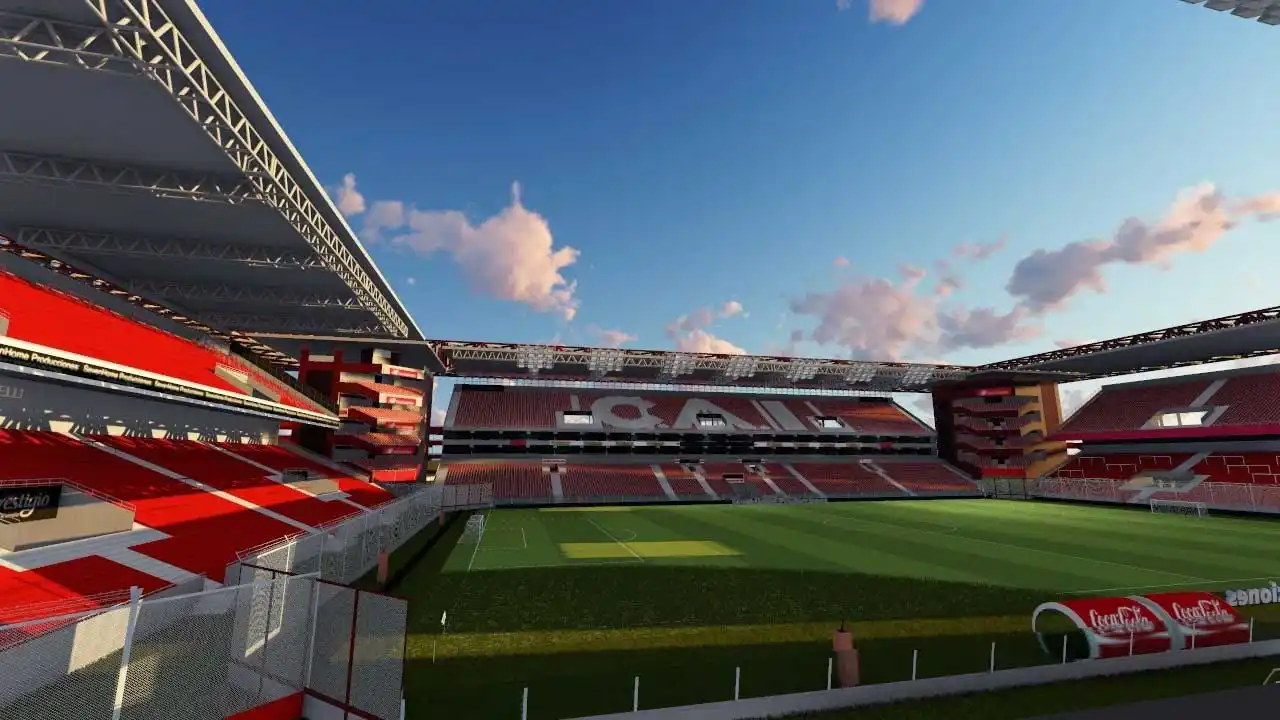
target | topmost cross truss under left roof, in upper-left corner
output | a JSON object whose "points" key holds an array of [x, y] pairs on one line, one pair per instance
{"points": [[42, 40]]}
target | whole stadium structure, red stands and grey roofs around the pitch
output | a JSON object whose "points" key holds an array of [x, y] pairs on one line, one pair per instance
{"points": [[207, 385]]}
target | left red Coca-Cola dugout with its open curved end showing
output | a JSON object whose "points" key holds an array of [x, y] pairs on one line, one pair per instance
{"points": [[1105, 627]]}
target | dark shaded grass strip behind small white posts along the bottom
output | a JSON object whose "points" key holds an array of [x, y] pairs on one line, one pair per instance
{"points": [[572, 685]]}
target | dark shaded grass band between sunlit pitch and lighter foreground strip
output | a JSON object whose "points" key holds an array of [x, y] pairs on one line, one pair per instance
{"points": [[584, 599]]}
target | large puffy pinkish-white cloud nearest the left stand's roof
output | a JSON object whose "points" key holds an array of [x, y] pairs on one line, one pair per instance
{"points": [[511, 256]]}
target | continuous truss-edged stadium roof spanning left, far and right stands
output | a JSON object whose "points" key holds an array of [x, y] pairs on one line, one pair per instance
{"points": [[144, 162]]}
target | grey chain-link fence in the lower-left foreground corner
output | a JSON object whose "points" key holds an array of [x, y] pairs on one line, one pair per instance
{"points": [[211, 655]]}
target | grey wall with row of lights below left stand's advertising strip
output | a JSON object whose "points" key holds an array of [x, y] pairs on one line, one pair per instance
{"points": [[29, 404]]}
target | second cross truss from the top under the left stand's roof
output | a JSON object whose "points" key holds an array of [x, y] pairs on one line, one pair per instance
{"points": [[131, 180]]}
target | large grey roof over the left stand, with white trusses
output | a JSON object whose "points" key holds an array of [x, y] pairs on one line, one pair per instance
{"points": [[139, 153]]}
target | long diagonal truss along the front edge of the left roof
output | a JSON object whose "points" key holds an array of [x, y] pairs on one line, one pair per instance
{"points": [[145, 34]]}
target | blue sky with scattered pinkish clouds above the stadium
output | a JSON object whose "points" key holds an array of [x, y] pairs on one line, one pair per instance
{"points": [[894, 180]]}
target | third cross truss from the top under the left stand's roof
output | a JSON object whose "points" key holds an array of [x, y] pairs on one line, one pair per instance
{"points": [[77, 243]]}
